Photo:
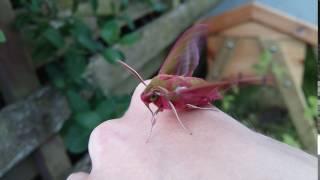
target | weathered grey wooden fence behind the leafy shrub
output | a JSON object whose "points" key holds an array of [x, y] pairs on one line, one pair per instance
{"points": [[30, 144]]}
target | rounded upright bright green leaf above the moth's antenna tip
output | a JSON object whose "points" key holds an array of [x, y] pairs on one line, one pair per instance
{"points": [[110, 32]]}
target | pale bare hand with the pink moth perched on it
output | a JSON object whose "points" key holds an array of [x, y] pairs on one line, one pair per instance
{"points": [[220, 148]]}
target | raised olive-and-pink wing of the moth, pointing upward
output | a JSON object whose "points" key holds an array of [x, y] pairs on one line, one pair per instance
{"points": [[185, 55]]}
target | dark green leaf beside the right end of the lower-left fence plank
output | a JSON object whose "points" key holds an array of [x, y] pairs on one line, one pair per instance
{"points": [[76, 102]]}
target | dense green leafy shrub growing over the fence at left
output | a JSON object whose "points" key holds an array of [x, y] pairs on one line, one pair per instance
{"points": [[65, 39]]}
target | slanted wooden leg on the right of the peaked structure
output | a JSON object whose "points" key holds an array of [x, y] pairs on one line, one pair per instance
{"points": [[293, 98]]}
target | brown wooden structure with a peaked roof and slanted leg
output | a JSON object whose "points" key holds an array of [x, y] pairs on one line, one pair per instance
{"points": [[240, 35]]}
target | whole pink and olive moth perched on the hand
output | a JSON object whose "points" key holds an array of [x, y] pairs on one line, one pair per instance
{"points": [[174, 88]]}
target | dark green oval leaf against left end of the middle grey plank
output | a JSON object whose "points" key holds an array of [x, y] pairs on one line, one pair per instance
{"points": [[75, 65]]}
